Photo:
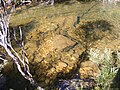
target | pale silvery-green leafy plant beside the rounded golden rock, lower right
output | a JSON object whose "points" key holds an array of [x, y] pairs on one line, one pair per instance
{"points": [[108, 69]]}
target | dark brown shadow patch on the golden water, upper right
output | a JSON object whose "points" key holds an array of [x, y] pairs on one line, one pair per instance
{"points": [[92, 31]]}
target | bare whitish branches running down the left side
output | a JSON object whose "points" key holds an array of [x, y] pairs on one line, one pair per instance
{"points": [[5, 42]]}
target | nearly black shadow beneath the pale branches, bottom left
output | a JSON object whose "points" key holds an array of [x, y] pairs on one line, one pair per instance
{"points": [[17, 82]]}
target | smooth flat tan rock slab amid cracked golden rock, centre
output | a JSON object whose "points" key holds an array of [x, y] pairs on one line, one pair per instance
{"points": [[58, 42]]}
